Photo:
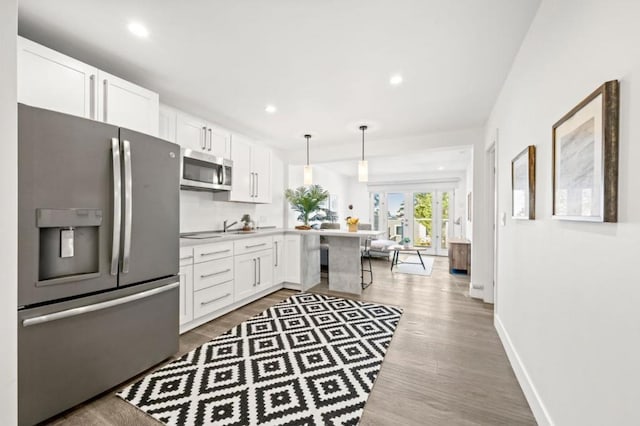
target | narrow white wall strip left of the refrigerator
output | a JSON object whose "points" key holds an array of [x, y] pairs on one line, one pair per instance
{"points": [[8, 214]]}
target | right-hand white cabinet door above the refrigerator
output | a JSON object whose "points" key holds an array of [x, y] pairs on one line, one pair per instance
{"points": [[124, 104]]}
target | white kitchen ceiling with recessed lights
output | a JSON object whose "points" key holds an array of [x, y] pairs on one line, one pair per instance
{"points": [[324, 64]]}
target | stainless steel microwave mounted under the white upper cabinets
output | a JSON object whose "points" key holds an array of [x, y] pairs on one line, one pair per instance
{"points": [[204, 172]]}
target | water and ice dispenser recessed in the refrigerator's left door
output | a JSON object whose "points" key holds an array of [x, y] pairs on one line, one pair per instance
{"points": [[68, 245]]}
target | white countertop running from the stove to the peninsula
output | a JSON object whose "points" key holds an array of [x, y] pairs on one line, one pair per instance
{"points": [[235, 235]]}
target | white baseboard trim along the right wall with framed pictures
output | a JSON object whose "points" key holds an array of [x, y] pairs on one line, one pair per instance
{"points": [[533, 398]]}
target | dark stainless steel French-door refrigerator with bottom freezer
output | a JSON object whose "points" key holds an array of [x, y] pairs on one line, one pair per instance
{"points": [[98, 251]]}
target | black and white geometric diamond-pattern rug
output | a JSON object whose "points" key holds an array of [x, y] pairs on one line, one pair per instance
{"points": [[309, 360]]}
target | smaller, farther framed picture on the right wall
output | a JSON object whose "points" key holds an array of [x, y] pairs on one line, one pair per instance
{"points": [[523, 184]]}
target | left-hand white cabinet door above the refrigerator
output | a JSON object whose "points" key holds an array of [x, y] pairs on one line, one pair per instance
{"points": [[51, 80]]}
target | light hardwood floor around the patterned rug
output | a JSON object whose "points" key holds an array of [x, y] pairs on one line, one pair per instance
{"points": [[445, 364]]}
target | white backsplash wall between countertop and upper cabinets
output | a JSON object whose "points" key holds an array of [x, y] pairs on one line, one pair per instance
{"points": [[199, 212]]}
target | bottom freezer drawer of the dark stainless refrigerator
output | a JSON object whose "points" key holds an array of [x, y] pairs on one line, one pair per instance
{"points": [[71, 351]]}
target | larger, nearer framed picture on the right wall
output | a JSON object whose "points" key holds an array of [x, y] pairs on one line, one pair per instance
{"points": [[585, 158]]}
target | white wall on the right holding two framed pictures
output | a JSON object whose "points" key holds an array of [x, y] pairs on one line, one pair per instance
{"points": [[568, 295]]}
